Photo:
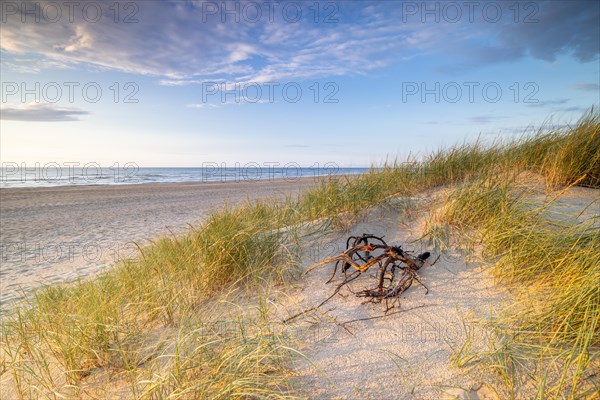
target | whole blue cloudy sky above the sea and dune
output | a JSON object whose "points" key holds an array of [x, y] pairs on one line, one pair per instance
{"points": [[185, 83]]}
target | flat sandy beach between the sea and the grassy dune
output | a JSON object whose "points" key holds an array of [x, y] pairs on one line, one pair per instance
{"points": [[58, 234]]}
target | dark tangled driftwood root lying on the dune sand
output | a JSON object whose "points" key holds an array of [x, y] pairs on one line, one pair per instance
{"points": [[398, 269]]}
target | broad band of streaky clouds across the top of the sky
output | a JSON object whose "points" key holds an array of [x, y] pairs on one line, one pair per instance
{"points": [[181, 43]]}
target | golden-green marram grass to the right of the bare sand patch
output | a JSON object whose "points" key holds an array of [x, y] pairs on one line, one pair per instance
{"points": [[551, 332]]}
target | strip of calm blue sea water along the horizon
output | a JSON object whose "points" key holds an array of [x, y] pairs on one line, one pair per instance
{"points": [[20, 176]]}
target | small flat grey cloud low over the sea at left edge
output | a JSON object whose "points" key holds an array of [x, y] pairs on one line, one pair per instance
{"points": [[41, 112]]}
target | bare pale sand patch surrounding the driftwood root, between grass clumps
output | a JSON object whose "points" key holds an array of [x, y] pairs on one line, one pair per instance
{"points": [[405, 355]]}
